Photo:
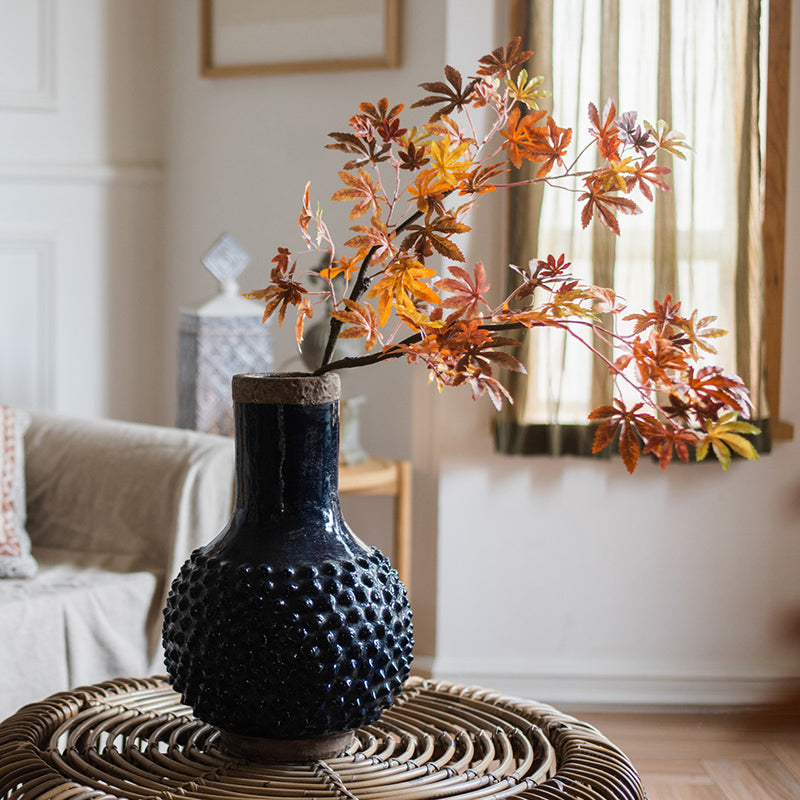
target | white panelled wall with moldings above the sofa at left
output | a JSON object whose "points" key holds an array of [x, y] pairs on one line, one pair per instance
{"points": [[80, 239]]}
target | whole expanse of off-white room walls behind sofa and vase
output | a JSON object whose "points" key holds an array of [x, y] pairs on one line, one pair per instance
{"points": [[563, 579]]}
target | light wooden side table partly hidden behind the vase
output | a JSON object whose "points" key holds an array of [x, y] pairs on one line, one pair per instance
{"points": [[381, 476]]}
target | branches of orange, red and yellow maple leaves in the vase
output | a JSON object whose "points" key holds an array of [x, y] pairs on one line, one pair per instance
{"points": [[411, 189]]}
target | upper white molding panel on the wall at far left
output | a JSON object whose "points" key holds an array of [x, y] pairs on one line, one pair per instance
{"points": [[28, 47]]}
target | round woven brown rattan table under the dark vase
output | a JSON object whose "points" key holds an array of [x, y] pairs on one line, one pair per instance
{"points": [[134, 739]]}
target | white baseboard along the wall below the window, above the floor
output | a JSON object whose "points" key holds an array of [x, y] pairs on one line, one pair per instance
{"points": [[606, 686]]}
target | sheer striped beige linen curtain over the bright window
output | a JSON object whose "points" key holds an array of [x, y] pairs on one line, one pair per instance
{"points": [[696, 64]]}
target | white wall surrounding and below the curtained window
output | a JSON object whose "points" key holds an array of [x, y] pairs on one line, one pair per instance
{"points": [[571, 581]]}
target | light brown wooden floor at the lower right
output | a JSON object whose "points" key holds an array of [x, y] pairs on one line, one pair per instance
{"points": [[715, 756]]}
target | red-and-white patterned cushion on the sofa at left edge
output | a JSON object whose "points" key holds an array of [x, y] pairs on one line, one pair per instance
{"points": [[15, 545]]}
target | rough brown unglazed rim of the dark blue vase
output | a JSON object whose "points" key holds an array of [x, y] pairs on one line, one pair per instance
{"points": [[284, 388]]}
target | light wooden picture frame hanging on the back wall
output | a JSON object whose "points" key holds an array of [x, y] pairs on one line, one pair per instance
{"points": [[254, 37]]}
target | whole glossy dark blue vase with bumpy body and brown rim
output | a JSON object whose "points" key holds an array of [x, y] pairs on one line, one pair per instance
{"points": [[287, 626]]}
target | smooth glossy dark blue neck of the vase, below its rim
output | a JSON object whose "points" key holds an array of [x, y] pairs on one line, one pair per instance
{"points": [[286, 459]]}
